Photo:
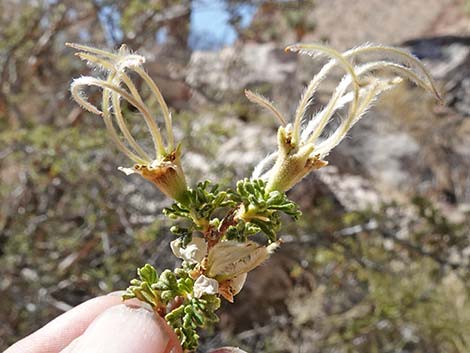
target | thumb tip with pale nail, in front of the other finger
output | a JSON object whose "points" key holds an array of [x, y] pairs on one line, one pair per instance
{"points": [[126, 329]]}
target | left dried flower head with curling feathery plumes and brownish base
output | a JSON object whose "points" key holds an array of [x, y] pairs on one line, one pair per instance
{"points": [[164, 168]]}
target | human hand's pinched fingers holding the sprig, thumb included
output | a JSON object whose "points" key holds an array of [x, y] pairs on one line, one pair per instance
{"points": [[102, 325]]}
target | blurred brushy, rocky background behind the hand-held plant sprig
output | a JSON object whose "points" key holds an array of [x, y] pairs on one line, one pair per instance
{"points": [[380, 260]]}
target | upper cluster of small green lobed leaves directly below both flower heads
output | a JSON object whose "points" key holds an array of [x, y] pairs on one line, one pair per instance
{"points": [[251, 210]]}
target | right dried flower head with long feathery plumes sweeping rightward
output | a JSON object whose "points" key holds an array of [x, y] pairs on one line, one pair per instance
{"points": [[301, 145]]}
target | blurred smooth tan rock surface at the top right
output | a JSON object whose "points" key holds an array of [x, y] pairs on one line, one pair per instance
{"points": [[374, 20]]}
